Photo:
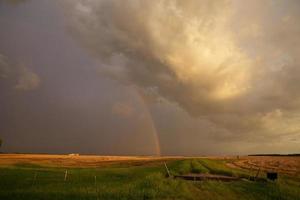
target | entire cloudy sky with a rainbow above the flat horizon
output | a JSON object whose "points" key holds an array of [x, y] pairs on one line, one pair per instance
{"points": [[161, 77]]}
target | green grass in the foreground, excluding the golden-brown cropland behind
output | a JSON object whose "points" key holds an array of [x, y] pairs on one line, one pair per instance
{"points": [[146, 181]]}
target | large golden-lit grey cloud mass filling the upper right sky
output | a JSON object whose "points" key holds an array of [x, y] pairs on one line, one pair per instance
{"points": [[233, 63]]}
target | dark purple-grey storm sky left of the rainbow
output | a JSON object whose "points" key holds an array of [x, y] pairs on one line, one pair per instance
{"points": [[71, 108]]}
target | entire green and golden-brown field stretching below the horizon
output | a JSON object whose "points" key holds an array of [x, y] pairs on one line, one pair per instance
{"points": [[111, 177]]}
